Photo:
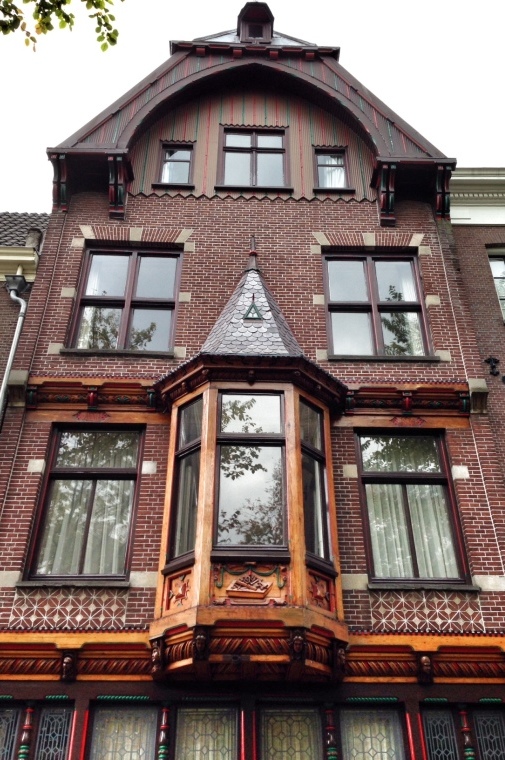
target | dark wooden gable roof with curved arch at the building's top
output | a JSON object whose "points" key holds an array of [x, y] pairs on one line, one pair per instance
{"points": [[203, 62]]}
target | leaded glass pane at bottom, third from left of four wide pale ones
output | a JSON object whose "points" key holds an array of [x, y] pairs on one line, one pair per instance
{"points": [[293, 734]]}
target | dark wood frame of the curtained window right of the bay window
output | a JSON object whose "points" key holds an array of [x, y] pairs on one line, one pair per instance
{"points": [[403, 478]]}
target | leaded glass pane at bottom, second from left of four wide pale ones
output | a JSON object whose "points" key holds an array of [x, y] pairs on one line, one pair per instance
{"points": [[206, 734]]}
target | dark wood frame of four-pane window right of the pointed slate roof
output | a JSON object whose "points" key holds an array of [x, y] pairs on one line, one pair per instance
{"points": [[374, 307]]}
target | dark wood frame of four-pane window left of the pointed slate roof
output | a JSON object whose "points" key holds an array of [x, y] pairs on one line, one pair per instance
{"points": [[127, 302]]}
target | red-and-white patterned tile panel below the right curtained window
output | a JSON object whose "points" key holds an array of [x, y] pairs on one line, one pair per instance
{"points": [[414, 611]]}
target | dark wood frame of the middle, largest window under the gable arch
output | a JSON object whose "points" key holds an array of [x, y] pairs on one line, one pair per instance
{"points": [[253, 151]]}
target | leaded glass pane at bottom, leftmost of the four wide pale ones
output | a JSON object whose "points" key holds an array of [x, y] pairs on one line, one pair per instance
{"points": [[124, 734]]}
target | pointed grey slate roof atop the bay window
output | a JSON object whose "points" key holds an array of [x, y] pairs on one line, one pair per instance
{"points": [[251, 323]]}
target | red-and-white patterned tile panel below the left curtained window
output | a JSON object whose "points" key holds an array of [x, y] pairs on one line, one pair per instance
{"points": [[66, 609]]}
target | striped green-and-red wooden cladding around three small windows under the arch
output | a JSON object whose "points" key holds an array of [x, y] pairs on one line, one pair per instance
{"points": [[199, 123]]}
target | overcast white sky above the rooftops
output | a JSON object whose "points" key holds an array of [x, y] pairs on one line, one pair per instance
{"points": [[438, 63]]}
